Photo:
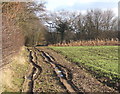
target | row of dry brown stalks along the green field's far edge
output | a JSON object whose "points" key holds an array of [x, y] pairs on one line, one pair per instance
{"points": [[90, 43]]}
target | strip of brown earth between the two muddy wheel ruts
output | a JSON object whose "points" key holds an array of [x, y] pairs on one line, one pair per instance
{"points": [[46, 81]]}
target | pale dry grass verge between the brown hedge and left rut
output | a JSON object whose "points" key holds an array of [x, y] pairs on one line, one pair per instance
{"points": [[11, 75]]}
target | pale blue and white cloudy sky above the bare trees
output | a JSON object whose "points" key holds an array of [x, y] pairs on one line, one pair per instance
{"points": [[82, 5]]}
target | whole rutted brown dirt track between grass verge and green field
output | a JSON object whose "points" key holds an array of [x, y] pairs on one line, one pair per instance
{"points": [[51, 72]]}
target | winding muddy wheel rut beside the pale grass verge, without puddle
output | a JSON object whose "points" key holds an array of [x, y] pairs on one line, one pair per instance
{"points": [[33, 74]]}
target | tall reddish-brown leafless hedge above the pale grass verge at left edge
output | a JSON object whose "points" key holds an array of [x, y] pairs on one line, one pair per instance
{"points": [[12, 37]]}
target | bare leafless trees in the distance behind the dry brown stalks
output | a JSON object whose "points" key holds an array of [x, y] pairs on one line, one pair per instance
{"points": [[71, 26]]}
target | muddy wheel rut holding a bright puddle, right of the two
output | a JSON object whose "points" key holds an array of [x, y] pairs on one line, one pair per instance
{"points": [[64, 74]]}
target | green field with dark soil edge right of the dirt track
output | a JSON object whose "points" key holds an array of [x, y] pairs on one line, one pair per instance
{"points": [[100, 61]]}
